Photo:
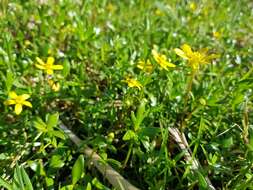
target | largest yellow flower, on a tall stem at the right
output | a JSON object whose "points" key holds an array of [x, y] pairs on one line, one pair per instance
{"points": [[195, 58]]}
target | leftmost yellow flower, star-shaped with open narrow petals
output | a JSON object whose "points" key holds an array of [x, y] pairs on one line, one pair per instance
{"points": [[18, 101]]}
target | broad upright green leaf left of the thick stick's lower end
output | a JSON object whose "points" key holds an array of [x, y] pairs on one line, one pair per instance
{"points": [[78, 169]]}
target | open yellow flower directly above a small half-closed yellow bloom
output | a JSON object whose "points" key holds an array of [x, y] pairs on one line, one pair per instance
{"points": [[49, 66]]}
